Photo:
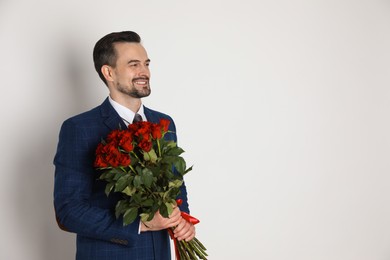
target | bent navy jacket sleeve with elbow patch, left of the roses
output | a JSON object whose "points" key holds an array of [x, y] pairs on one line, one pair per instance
{"points": [[74, 184]]}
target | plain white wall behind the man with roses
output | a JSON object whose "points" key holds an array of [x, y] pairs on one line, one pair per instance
{"points": [[282, 106]]}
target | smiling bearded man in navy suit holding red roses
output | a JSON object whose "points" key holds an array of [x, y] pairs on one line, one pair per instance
{"points": [[80, 202]]}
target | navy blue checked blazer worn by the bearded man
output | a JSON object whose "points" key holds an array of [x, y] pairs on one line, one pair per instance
{"points": [[80, 203]]}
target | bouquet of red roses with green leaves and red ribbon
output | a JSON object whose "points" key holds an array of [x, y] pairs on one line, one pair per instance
{"points": [[148, 171]]}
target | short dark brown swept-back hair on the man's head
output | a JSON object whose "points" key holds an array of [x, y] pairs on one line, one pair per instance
{"points": [[104, 50]]}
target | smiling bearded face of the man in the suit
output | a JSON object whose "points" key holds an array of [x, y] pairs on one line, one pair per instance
{"points": [[131, 73]]}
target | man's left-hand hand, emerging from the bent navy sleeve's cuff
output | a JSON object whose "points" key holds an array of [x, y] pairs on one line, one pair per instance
{"points": [[159, 222]]}
